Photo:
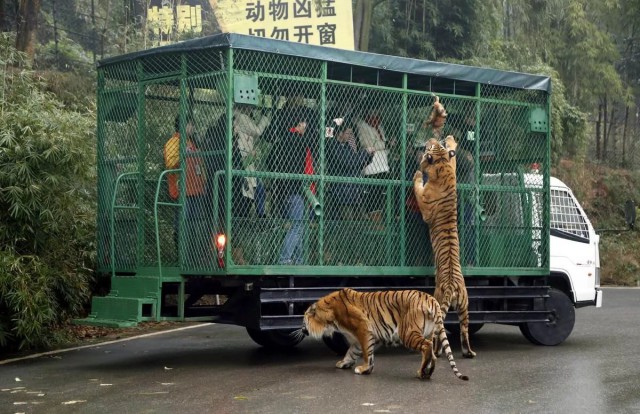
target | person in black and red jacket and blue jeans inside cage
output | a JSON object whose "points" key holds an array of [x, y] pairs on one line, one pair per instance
{"points": [[292, 153]]}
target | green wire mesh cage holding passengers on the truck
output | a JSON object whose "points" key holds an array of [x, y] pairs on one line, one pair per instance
{"points": [[297, 167]]}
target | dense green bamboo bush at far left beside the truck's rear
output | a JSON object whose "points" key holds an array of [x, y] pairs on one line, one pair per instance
{"points": [[47, 205]]}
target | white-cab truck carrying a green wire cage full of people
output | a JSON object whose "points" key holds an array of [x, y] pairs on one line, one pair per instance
{"points": [[264, 234]]}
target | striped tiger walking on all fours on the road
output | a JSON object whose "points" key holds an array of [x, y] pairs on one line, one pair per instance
{"points": [[407, 317]]}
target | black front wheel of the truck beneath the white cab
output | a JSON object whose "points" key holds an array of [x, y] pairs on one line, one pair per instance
{"points": [[562, 317]]}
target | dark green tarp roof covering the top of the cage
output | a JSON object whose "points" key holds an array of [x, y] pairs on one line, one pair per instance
{"points": [[349, 57]]}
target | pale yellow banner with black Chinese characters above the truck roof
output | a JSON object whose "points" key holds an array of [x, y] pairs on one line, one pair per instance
{"points": [[317, 22]]}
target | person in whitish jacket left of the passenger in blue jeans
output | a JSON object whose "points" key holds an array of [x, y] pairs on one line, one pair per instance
{"points": [[246, 132]]}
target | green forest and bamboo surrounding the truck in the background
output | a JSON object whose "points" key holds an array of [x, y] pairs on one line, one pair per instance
{"points": [[48, 52]]}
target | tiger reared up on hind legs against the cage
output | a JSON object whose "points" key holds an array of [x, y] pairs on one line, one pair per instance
{"points": [[437, 200]]}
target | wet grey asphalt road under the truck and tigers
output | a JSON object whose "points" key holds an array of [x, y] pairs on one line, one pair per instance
{"points": [[218, 369]]}
